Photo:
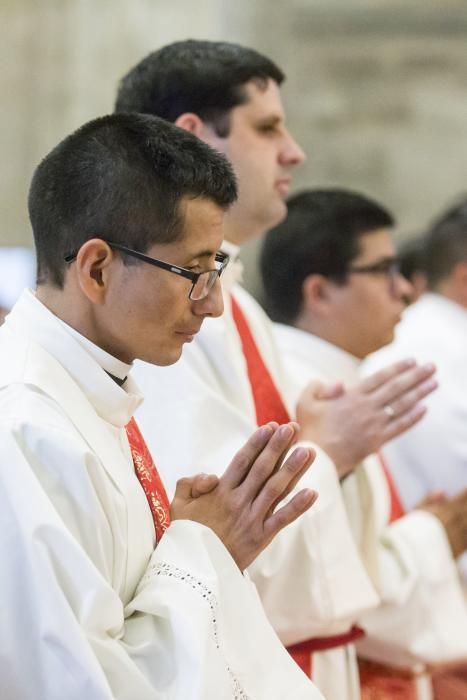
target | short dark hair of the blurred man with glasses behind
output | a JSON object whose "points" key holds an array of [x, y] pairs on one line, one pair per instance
{"points": [[319, 236]]}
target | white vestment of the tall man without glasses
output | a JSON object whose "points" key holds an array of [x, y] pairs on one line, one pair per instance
{"points": [[310, 579]]}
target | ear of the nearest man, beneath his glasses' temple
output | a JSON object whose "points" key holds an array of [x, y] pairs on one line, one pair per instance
{"points": [[93, 269]]}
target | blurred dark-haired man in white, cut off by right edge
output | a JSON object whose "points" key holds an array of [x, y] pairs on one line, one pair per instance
{"points": [[434, 455]]}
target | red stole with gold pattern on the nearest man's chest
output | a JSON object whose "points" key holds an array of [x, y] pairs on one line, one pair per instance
{"points": [[149, 479]]}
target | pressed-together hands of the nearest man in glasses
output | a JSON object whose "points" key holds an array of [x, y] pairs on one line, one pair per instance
{"points": [[242, 506]]}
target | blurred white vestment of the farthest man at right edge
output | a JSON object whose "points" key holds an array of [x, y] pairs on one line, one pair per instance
{"points": [[433, 455]]}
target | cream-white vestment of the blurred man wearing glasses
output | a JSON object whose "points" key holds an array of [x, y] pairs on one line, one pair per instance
{"points": [[423, 614]]}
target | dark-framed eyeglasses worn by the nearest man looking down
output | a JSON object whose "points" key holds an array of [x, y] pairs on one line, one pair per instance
{"points": [[202, 282]]}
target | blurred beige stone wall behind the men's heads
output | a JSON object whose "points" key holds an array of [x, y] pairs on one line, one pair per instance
{"points": [[376, 90]]}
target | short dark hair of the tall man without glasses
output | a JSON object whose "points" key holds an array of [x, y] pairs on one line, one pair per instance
{"points": [[203, 77]]}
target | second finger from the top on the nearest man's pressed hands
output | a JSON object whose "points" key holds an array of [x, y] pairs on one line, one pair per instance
{"points": [[268, 462]]}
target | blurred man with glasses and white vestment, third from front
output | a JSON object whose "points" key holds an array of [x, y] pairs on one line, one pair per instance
{"points": [[337, 295]]}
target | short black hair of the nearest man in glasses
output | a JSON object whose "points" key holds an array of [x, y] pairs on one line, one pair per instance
{"points": [[120, 177]]}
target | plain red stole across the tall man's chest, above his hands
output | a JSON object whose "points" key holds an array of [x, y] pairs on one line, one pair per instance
{"points": [[268, 402]]}
